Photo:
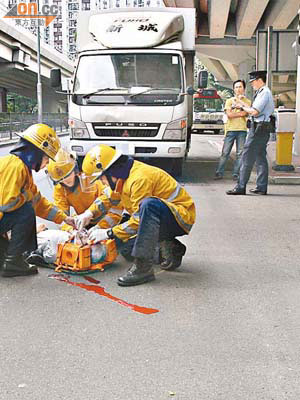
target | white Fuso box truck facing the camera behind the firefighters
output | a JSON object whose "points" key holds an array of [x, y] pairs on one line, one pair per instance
{"points": [[132, 84]]}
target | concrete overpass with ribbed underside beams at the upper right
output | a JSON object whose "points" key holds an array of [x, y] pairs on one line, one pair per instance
{"points": [[226, 37]]}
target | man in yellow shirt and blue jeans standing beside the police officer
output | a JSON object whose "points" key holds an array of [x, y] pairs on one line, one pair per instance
{"points": [[235, 130]]}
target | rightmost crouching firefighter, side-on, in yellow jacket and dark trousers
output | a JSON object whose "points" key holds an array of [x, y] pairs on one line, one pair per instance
{"points": [[160, 210]]}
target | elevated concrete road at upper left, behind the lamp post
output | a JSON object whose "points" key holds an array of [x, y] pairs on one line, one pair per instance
{"points": [[19, 68]]}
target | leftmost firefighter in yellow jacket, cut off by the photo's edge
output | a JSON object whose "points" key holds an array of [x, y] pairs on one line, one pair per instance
{"points": [[20, 200]]}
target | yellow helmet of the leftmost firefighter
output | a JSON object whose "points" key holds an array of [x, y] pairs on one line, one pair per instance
{"points": [[43, 137]]}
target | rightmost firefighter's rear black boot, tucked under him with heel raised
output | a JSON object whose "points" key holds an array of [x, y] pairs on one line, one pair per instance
{"points": [[172, 252]]}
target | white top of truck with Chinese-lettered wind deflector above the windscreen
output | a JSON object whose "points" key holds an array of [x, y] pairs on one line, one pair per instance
{"points": [[136, 28]]}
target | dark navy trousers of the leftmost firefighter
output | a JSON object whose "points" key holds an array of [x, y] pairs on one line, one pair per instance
{"points": [[22, 224]]}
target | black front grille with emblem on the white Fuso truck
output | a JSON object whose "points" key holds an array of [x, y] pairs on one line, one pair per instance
{"points": [[134, 130]]}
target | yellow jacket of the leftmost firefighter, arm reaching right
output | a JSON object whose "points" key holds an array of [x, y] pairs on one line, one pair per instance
{"points": [[17, 188]]}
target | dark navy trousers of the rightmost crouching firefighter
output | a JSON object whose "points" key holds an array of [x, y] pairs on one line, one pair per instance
{"points": [[157, 223]]}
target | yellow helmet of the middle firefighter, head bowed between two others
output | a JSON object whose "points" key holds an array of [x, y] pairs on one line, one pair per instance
{"points": [[62, 166]]}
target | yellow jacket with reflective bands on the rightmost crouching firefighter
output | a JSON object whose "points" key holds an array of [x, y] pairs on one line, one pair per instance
{"points": [[147, 181]]}
